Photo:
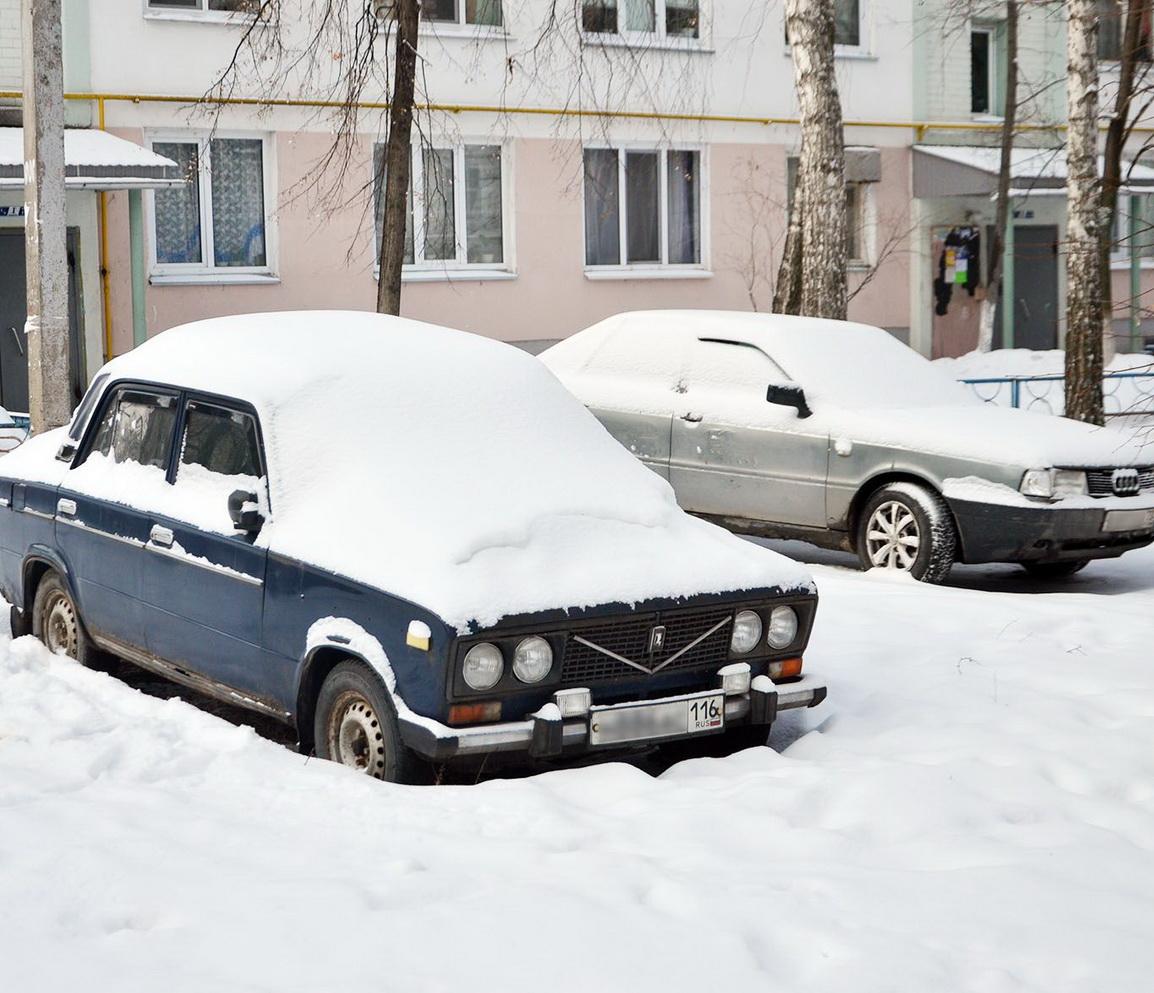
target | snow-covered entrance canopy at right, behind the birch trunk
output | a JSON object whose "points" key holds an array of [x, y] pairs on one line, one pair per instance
{"points": [[950, 170]]}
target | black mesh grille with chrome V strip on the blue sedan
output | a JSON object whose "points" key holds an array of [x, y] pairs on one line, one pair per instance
{"points": [[630, 638]]}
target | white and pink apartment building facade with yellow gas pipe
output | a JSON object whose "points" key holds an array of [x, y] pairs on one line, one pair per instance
{"points": [[636, 155]]}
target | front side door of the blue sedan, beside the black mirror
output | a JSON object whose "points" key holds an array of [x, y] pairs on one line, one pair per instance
{"points": [[204, 578]]}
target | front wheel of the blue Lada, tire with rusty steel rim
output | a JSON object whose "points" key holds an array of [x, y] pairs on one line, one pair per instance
{"points": [[356, 725]]}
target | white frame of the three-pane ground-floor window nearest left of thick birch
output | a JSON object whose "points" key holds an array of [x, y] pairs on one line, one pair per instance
{"points": [[664, 268]]}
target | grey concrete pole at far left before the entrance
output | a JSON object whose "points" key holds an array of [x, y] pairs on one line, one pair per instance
{"points": [[46, 228]]}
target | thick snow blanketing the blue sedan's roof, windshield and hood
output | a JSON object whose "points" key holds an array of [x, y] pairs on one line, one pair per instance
{"points": [[444, 468]]}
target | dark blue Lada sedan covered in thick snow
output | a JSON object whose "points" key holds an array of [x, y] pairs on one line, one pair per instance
{"points": [[409, 543]]}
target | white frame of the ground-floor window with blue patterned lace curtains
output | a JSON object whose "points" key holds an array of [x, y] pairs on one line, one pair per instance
{"points": [[206, 271]]}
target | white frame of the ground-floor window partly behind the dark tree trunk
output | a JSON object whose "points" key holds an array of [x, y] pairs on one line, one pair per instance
{"points": [[459, 268]]}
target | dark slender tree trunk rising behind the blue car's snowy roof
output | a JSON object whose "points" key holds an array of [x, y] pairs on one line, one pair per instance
{"points": [[399, 158]]}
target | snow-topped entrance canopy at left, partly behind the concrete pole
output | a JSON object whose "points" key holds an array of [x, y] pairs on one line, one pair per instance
{"points": [[94, 160]]}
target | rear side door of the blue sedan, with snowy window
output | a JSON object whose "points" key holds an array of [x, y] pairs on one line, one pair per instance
{"points": [[102, 521]]}
